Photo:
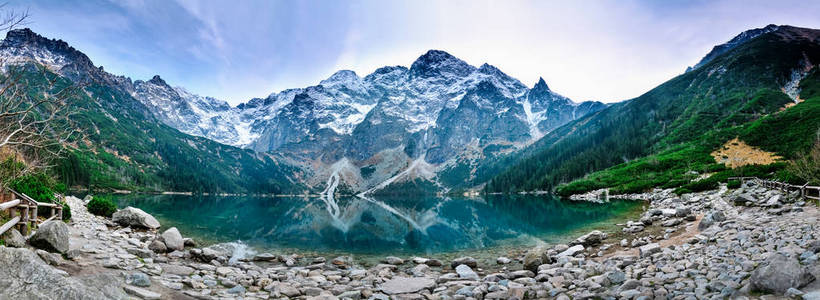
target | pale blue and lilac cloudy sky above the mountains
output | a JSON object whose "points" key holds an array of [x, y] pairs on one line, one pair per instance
{"points": [[236, 50]]}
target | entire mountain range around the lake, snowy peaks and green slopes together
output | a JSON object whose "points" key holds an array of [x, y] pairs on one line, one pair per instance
{"points": [[440, 124]]}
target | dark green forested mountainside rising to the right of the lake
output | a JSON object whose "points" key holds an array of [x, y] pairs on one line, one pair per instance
{"points": [[761, 91]]}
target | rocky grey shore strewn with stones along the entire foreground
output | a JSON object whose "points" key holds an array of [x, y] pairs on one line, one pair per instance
{"points": [[747, 243]]}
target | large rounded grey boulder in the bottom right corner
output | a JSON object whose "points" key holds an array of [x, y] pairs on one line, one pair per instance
{"points": [[779, 273]]}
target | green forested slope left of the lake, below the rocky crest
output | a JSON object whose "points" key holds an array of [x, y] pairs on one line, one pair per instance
{"points": [[120, 145]]}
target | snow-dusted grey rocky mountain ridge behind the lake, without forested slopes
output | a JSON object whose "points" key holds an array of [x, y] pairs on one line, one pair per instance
{"points": [[438, 111]]}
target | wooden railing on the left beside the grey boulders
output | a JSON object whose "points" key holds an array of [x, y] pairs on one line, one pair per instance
{"points": [[23, 212]]}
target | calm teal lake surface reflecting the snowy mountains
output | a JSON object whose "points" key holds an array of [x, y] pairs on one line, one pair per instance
{"points": [[385, 225]]}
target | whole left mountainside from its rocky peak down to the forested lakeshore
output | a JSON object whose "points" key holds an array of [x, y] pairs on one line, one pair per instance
{"points": [[121, 144]]}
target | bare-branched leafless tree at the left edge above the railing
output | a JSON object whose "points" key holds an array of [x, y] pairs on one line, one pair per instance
{"points": [[35, 119]]}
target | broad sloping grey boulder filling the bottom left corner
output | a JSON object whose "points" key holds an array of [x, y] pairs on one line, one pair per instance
{"points": [[25, 276]]}
